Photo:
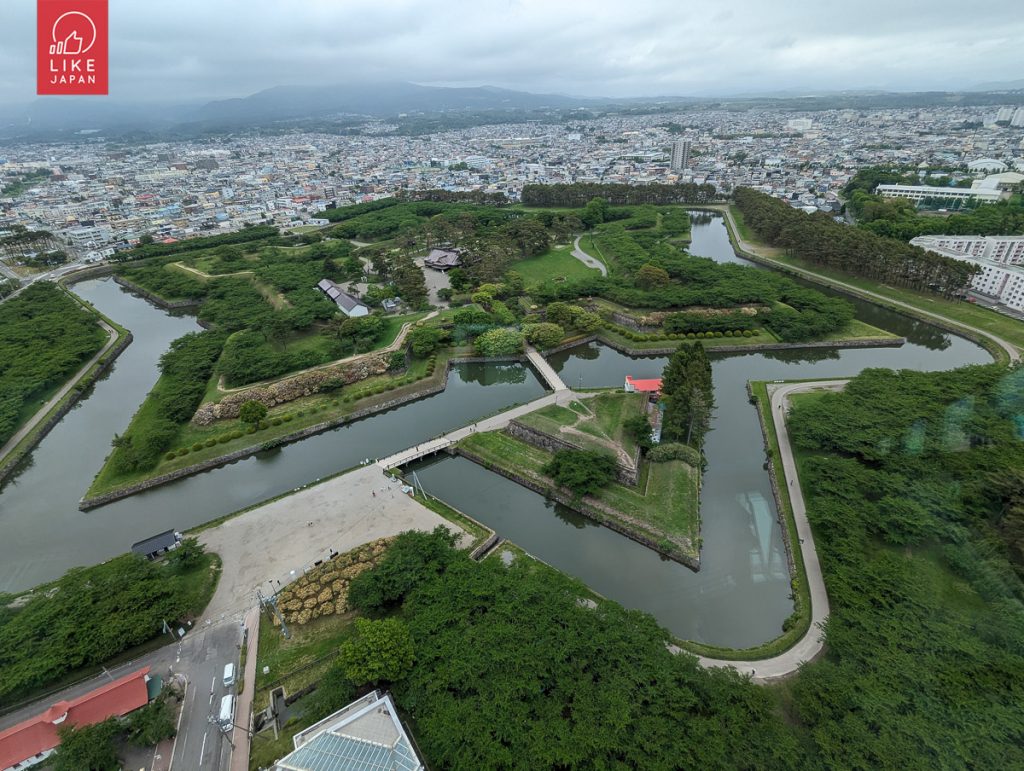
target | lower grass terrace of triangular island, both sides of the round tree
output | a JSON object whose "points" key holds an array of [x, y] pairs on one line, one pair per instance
{"points": [[664, 506]]}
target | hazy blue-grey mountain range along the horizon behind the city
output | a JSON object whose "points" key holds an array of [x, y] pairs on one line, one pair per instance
{"points": [[283, 107]]}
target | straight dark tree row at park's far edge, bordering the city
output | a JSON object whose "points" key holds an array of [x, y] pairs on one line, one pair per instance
{"points": [[579, 194]]}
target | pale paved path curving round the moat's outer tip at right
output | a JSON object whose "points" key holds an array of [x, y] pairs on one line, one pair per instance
{"points": [[812, 644]]}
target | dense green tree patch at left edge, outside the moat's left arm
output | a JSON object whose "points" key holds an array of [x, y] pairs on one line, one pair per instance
{"points": [[46, 337]]}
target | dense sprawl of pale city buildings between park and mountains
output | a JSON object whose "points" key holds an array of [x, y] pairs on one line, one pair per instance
{"points": [[100, 197]]}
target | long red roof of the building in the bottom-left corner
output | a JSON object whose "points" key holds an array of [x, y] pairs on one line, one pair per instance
{"points": [[38, 735]]}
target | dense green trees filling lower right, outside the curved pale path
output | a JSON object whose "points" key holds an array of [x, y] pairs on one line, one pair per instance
{"points": [[916, 485]]}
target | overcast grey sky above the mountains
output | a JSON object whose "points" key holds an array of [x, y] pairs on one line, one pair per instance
{"points": [[198, 50]]}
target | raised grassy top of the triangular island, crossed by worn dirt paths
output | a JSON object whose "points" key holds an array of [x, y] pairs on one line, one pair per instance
{"points": [[595, 422]]}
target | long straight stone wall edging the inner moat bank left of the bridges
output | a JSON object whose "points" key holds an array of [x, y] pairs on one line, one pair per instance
{"points": [[430, 389]]}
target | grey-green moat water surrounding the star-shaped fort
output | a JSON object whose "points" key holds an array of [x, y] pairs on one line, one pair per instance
{"points": [[739, 598]]}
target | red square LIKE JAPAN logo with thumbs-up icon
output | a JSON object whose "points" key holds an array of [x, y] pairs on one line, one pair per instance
{"points": [[71, 49]]}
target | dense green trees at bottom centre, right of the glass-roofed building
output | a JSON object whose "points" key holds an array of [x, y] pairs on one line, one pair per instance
{"points": [[511, 672]]}
